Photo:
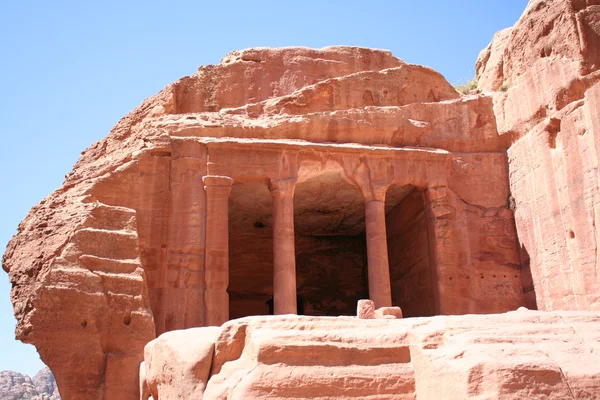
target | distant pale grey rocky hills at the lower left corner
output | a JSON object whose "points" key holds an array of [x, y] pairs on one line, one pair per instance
{"points": [[16, 386]]}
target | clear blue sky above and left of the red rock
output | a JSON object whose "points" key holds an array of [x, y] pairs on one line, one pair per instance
{"points": [[71, 69]]}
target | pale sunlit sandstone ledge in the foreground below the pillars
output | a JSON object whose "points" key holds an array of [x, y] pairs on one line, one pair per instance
{"points": [[519, 355]]}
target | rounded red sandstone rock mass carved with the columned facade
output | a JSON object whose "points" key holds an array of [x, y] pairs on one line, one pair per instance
{"points": [[127, 249]]}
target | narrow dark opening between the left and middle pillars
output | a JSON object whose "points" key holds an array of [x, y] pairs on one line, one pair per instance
{"points": [[250, 249]]}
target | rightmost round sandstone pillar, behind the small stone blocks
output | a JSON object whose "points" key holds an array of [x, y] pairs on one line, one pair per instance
{"points": [[378, 270]]}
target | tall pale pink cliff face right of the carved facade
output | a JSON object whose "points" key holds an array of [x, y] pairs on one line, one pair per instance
{"points": [[548, 112]]}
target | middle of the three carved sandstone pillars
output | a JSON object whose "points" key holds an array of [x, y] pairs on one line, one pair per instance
{"points": [[284, 254]]}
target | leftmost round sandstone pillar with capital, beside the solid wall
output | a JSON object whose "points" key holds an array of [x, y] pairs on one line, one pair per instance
{"points": [[216, 276]]}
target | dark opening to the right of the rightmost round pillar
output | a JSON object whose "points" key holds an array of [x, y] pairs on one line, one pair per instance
{"points": [[412, 276]]}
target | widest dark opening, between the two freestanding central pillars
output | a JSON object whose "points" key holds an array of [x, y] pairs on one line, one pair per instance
{"points": [[331, 251]]}
